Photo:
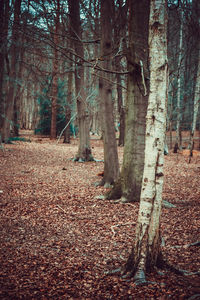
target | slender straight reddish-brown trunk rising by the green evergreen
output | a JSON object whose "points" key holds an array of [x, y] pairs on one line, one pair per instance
{"points": [[55, 75]]}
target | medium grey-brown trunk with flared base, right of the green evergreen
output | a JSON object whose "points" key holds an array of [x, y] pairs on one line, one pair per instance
{"points": [[84, 150]]}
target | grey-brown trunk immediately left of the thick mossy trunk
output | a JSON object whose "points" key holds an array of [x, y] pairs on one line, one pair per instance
{"points": [[111, 164]]}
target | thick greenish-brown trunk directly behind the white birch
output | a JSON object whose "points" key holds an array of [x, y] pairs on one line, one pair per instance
{"points": [[128, 186]]}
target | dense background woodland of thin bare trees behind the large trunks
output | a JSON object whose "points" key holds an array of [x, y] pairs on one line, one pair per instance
{"points": [[49, 49]]}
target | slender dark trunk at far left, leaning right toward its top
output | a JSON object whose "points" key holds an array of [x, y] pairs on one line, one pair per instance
{"points": [[8, 120]]}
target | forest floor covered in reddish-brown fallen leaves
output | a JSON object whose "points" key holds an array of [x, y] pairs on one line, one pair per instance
{"points": [[58, 240]]}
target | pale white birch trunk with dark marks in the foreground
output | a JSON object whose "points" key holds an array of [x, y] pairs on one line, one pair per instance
{"points": [[146, 251]]}
